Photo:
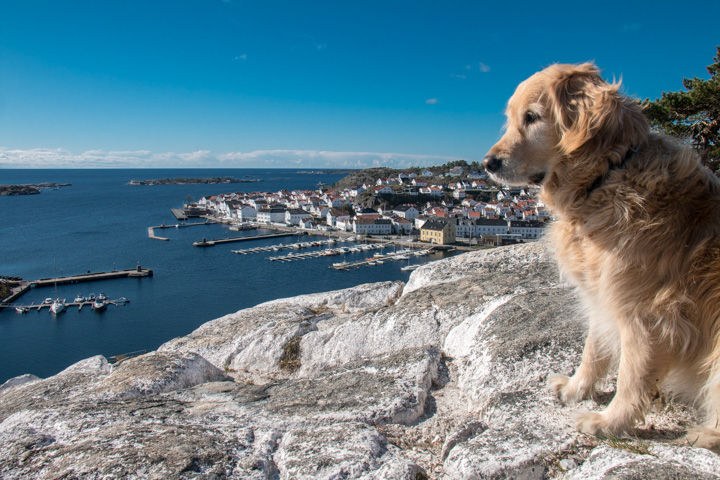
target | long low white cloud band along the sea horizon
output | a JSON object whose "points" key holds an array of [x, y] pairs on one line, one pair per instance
{"points": [[61, 158]]}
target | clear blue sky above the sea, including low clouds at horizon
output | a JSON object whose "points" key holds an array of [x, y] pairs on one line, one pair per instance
{"points": [[331, 84]]}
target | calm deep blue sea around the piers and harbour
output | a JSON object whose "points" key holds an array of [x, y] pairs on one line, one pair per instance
{"points": [[100, 224]]}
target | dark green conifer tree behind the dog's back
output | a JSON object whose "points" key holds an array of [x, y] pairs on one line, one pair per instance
{"points": [[693, 114]]}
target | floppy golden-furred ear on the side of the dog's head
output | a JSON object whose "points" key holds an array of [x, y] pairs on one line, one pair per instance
{"points": [[592, 116]]}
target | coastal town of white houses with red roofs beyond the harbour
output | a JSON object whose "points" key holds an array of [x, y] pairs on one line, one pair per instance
{"points": [[457, 206]]}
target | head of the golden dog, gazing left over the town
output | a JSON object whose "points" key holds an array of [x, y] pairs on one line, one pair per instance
{"points": [[565, 114]]}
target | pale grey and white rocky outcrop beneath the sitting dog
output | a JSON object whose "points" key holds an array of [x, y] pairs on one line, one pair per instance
{"points": [[441, 378]]}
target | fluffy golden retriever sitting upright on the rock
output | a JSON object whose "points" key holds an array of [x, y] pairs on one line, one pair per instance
{"points": [[637, 231]]}
